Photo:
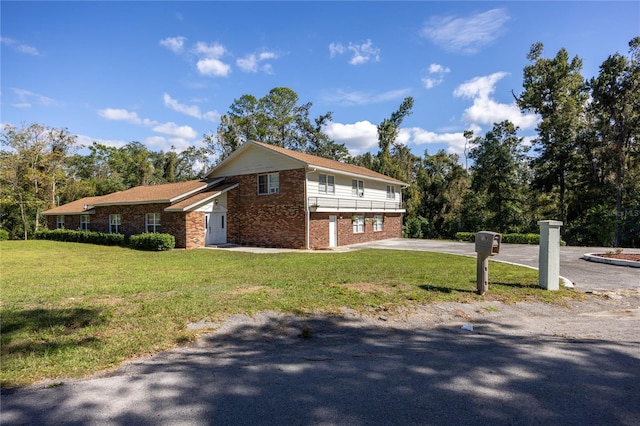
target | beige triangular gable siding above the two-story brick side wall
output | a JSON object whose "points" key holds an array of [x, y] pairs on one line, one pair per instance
{"points": [[256, 160]]}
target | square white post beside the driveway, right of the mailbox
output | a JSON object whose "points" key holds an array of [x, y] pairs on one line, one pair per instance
{"points": [[549, 257]]}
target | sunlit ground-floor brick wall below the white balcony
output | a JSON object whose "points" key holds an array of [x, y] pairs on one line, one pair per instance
{"points": [[319, 229]]}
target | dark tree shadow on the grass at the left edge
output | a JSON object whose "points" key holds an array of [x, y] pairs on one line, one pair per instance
{"points": [[41, 331]]}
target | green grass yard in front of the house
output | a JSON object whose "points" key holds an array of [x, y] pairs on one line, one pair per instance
{"points": [[68, 310]]}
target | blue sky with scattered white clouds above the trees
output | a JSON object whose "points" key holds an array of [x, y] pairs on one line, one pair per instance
{"points": [[162, 73]]}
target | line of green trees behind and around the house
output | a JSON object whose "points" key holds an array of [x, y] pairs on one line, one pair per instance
{"points": [[582, 167]]}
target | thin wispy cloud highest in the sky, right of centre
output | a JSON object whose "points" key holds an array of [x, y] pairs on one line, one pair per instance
{"points": [[466, 34]]}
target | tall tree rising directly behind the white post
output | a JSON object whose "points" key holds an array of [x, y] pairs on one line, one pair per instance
{"points": [[554, 89]]}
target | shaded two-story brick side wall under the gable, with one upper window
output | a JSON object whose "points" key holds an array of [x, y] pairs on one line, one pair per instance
{"points": [[273, 220]]}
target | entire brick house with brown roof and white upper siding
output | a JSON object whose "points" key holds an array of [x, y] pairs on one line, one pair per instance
{"points": [[261, 195]]}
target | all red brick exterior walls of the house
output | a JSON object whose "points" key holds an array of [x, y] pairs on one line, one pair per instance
{"points": [[272, 220]]}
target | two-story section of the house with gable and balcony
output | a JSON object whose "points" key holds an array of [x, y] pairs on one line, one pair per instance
{"points": [[287, 198]]}
